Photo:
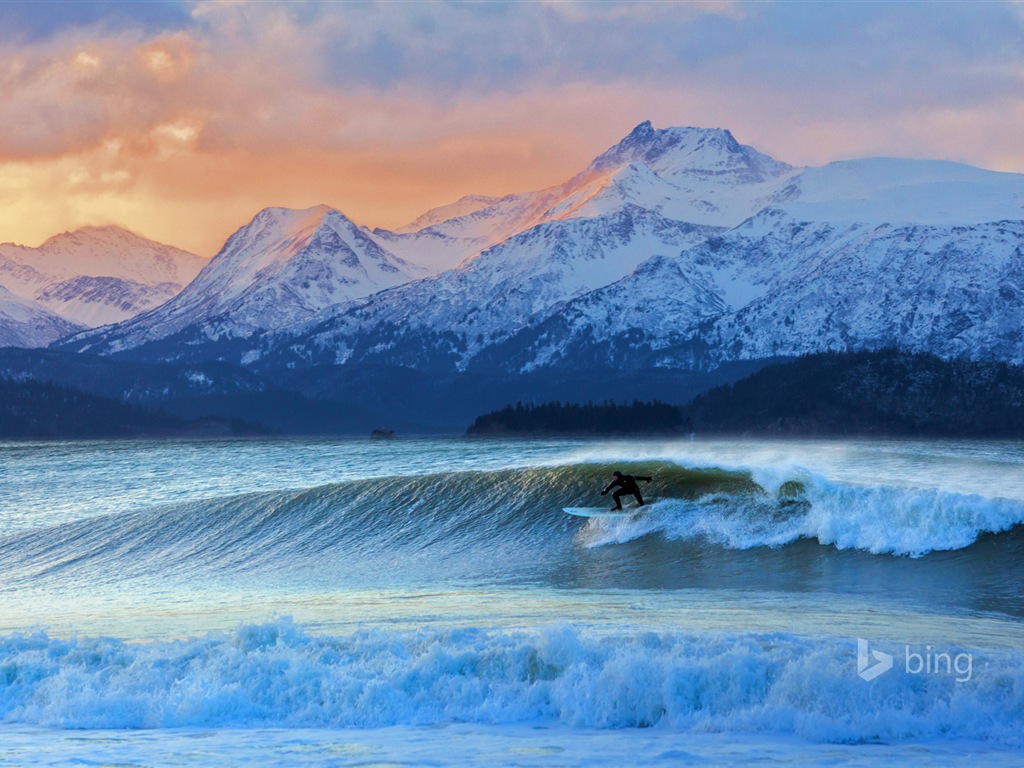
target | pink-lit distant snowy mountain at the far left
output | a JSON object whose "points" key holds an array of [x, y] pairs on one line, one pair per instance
{"points": [[97, 276]]}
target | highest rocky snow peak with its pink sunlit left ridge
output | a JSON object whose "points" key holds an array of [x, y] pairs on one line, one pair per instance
{"points": [[698, 176]]}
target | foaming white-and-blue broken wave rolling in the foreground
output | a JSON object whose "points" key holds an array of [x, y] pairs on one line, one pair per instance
{"points": [[277, 675]]}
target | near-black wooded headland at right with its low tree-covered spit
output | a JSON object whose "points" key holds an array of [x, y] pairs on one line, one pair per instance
{"points": [[870, 394]]}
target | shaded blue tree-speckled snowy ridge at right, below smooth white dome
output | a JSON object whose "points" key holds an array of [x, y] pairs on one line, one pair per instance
{"points": [[781, 286]]}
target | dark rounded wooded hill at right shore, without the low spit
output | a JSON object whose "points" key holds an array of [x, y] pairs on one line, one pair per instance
{"points": [[868, 394]]}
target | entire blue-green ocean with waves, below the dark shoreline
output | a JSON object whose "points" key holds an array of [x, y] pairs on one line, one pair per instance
{"points": [[408, 603]]}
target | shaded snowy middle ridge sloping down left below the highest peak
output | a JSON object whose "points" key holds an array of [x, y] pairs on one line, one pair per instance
{"points": [[508, 287]]}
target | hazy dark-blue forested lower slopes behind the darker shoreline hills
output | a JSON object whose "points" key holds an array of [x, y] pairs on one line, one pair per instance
{"points": [[339, 400]]}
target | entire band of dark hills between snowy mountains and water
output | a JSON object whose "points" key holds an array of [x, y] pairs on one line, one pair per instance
{"points": [[840, 395]]}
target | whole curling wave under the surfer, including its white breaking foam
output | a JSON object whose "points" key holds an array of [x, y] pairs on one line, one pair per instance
{"points": [[511, 513]]}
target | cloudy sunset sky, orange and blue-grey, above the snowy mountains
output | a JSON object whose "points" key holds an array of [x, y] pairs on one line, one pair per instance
{"points": [[183, 120]]}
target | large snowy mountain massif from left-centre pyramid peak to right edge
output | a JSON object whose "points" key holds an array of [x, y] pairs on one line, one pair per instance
{"points": [[677, 248]]}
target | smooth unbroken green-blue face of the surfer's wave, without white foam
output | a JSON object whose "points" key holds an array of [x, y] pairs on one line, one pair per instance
{"points": [[441, 516]]}
